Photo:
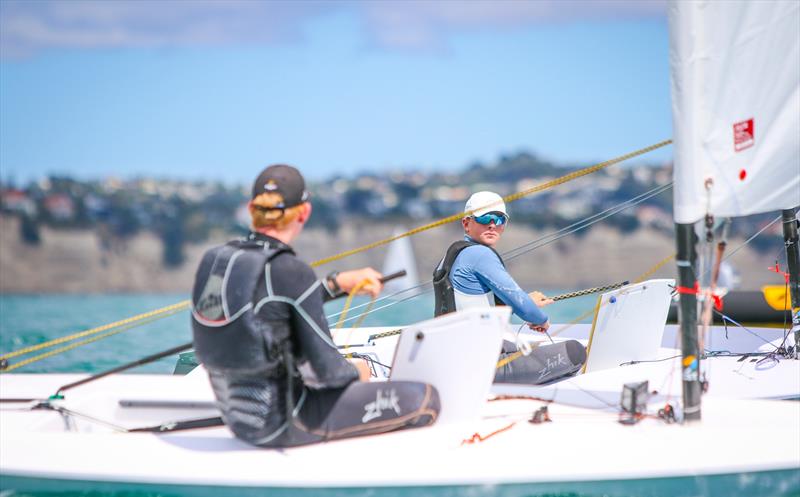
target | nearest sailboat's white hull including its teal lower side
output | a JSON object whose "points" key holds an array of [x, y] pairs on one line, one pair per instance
{"points": [[732, 451]]}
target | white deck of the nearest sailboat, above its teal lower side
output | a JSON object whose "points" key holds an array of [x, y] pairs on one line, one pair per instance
{"points": [[579, 445]]}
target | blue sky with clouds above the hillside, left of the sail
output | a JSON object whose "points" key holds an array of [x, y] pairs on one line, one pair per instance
{"points": [[217, 90]]}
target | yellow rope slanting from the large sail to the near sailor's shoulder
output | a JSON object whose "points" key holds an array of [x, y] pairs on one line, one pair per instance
{"points": [[508, 198]]}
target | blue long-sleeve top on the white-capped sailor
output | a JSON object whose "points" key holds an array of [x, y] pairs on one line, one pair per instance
{"points": [[477, 270]]}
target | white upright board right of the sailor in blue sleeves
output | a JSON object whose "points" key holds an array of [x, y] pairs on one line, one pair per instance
{"points": [[628, 324]]}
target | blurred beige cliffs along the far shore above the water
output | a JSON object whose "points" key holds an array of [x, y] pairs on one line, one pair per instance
{"points": [[73, 261]]}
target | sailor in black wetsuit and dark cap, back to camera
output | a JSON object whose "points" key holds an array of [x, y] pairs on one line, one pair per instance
{"points": [[260, 332]]}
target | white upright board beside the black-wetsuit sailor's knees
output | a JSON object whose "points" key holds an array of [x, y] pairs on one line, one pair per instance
{"points": [[457, 354]]}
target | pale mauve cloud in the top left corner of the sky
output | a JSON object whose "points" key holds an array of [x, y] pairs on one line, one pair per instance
{"points": [[27, 27]]}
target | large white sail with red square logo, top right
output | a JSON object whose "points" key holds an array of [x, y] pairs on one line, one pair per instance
{"points": [[735, 69]]}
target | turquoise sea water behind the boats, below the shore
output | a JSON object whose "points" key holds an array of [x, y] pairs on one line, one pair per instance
{"points": [[28, 320]]}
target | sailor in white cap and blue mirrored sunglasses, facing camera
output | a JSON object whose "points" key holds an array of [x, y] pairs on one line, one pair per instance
{"points": [[472, 274]]}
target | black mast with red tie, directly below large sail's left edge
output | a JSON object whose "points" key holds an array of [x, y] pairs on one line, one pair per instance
{"points": [[687, 317]]}
